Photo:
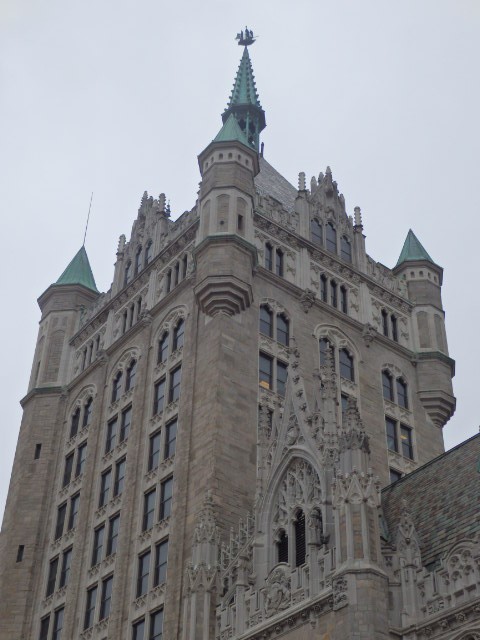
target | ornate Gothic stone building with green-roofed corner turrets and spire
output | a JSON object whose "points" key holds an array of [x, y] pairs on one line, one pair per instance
{"points": [[242, 438]]}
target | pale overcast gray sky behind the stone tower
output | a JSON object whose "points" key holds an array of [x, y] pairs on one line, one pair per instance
{"points": [[119, 97]]}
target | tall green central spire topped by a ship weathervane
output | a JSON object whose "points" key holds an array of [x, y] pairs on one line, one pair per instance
{"points": [[244, 103]]}
